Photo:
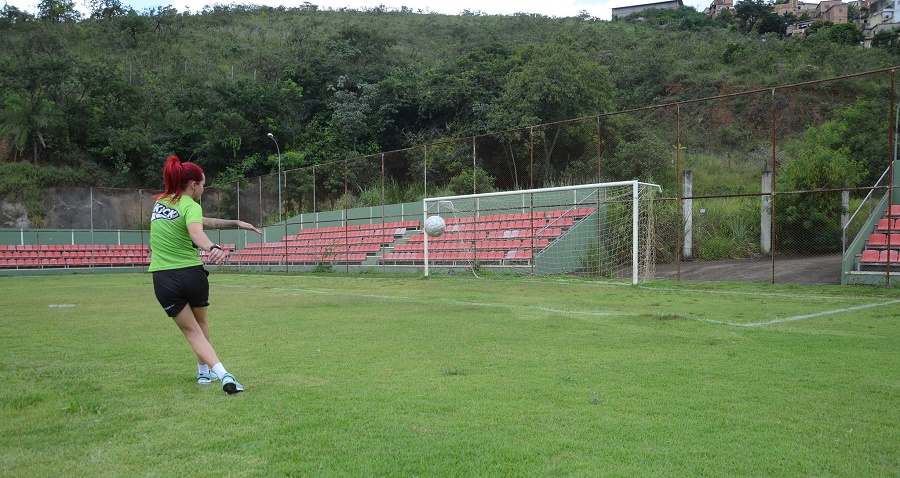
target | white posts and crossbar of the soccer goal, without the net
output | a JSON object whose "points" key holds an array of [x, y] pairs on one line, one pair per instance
{"points": [[636, 188]]}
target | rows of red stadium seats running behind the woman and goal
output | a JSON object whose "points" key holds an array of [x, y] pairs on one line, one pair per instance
{"points": [[500, 239]]}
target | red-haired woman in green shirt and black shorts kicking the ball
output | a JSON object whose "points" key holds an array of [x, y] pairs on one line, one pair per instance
{"points": [[179, 279]]}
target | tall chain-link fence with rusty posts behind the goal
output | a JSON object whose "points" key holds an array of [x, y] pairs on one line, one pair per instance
{"points": [[782, 184]]}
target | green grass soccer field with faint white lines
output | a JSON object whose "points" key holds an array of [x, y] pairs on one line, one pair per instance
{"points": [[374, 375]]}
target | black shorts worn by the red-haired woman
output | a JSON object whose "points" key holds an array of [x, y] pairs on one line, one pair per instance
{"points": [[179, 287]]}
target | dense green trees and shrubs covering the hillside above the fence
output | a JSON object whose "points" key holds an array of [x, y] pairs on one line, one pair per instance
{"points": [[110, 95]]}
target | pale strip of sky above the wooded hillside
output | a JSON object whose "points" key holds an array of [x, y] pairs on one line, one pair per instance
{"points": [[550, 8]]}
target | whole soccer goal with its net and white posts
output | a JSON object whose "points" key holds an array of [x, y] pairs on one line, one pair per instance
{"points": [[601, 230]]}
